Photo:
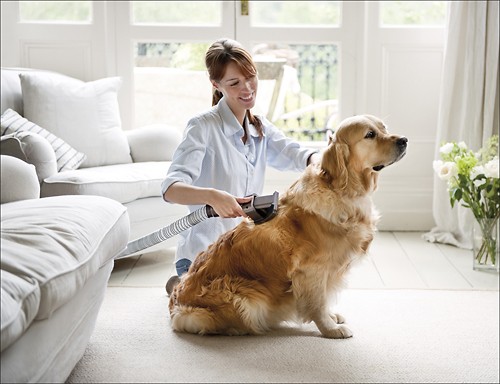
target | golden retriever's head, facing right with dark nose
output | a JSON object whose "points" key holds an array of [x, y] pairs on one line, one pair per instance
{"points": [[360, 147]]}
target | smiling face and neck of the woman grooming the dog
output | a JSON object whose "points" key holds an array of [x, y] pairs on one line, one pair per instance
{"points": [[239, 91]]}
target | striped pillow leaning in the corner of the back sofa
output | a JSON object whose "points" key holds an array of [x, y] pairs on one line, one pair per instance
{"points": [[67, 157]]}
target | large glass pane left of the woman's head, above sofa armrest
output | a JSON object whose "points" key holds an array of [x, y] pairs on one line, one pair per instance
{"points": [[171, 84]]}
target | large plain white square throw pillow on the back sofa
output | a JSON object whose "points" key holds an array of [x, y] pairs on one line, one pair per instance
{"points": [[86, 115]]}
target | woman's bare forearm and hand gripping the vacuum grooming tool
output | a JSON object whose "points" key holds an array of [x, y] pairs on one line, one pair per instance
{"points": [[224, 204]]}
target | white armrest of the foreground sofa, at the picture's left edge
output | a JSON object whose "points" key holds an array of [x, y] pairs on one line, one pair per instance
{"points": [[19, 180]]}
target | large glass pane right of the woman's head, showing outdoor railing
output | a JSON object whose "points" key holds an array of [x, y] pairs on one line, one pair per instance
{"points": [[306, 103]]}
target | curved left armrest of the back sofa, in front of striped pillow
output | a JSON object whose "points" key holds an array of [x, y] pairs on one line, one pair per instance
{"points": [[33, 149]]}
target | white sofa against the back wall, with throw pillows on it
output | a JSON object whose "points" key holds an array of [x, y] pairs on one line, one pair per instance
{"points": [[126, 166]]}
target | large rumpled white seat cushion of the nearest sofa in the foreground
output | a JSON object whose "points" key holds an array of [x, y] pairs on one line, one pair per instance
{"points": [[50, 248]]}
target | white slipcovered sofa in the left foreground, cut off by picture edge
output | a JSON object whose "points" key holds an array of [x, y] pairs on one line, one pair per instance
{"points": [[56, 257]]}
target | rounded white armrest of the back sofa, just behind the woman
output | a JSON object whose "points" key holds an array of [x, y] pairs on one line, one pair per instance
{"points": [[156, 142]]}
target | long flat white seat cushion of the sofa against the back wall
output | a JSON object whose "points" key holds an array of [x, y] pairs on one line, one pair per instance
{"points": [[120, 182]]}
